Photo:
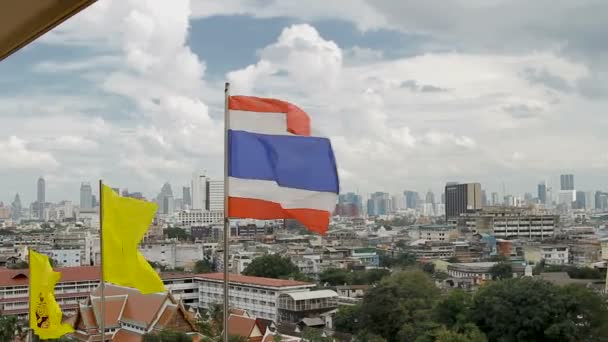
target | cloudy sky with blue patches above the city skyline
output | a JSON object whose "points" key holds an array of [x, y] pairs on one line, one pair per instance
{"points": [[412, 93]]}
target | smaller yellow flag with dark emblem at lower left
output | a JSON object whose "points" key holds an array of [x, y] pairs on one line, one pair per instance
{"points": [[45, 313]]}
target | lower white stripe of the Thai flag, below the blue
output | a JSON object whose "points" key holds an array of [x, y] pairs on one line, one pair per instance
{"points": [[289, 198]]}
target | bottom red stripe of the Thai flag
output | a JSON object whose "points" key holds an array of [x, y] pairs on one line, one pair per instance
{"points": [[313, 219]]}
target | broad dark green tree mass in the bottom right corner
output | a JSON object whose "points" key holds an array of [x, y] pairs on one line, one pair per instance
{"points": [[527, 309]]}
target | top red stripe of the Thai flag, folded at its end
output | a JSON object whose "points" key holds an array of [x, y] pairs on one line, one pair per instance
{"points": [[298, 121]]}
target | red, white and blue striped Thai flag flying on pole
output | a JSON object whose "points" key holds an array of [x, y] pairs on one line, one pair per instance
{"points": [[276, 169]]}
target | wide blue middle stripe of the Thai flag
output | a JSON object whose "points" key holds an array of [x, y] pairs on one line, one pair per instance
{"points": [[292, 161]]}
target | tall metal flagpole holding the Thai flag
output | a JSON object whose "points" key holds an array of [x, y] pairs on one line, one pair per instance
{"points": [[226, 216]]}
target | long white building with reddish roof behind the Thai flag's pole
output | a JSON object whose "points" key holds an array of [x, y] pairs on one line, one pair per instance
{"points": [[258, 296]]}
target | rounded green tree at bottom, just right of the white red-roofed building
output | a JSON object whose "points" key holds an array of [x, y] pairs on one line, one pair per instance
{"points": [[402, 302]]}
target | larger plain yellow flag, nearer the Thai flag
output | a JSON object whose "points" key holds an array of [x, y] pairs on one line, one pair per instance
{"points": [[124, 224]]}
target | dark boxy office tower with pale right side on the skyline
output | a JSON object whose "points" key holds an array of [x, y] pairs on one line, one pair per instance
{"points": [[462, 198]]}
